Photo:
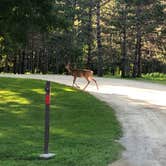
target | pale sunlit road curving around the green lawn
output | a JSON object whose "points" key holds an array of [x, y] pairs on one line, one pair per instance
{"points": [[141, 109]]}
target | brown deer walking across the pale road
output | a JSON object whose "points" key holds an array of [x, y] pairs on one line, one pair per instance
{"points": [[87, 74]]}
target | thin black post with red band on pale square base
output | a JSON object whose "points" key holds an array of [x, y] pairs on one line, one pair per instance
{"points": [[46, 154]]}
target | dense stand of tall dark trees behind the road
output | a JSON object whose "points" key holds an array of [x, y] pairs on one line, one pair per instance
{"points": [[126, 37]]}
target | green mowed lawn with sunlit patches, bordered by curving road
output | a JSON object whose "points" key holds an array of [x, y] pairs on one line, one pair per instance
{"points": [[83, 130]]}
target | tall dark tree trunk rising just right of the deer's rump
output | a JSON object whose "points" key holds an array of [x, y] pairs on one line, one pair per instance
{"points": [[99, 45]]}
